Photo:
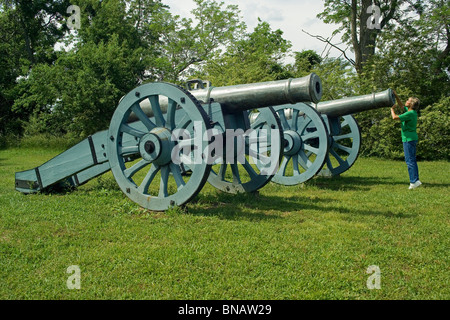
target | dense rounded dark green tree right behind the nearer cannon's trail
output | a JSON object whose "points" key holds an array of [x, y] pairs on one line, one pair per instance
{"points": [[79, 93]]}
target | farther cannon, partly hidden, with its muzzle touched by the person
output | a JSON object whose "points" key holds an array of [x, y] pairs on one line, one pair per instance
{"points": [[324, 138]]}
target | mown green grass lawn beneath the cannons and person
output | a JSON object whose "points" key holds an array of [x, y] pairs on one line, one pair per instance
{"points": [[312, 241]]}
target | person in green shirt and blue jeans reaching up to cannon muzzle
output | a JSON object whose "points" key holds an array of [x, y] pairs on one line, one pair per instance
{"points": [[409, 135]]}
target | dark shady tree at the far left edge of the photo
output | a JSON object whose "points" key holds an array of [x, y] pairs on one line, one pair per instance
{"points": [[29, 31]]}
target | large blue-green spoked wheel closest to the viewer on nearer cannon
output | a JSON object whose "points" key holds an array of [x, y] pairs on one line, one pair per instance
{"points": [[154, 180]]}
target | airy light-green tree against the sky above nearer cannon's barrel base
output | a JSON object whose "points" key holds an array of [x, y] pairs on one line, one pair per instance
{"points": [[188, 43]]}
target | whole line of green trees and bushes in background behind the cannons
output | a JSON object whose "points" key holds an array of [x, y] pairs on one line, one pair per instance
{"points": [[68, 82]]}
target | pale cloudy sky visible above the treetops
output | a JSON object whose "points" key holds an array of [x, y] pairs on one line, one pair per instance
{"points": [[290, 16]]}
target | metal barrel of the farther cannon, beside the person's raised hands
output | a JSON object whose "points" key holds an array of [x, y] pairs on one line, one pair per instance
{"points": [[351, 105]]}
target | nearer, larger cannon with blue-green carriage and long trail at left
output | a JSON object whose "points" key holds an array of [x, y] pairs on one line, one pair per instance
{"points": [[164, 142]]}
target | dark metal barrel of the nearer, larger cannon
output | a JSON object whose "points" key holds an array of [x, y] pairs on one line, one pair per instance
{"points": [[256, 95]]}
